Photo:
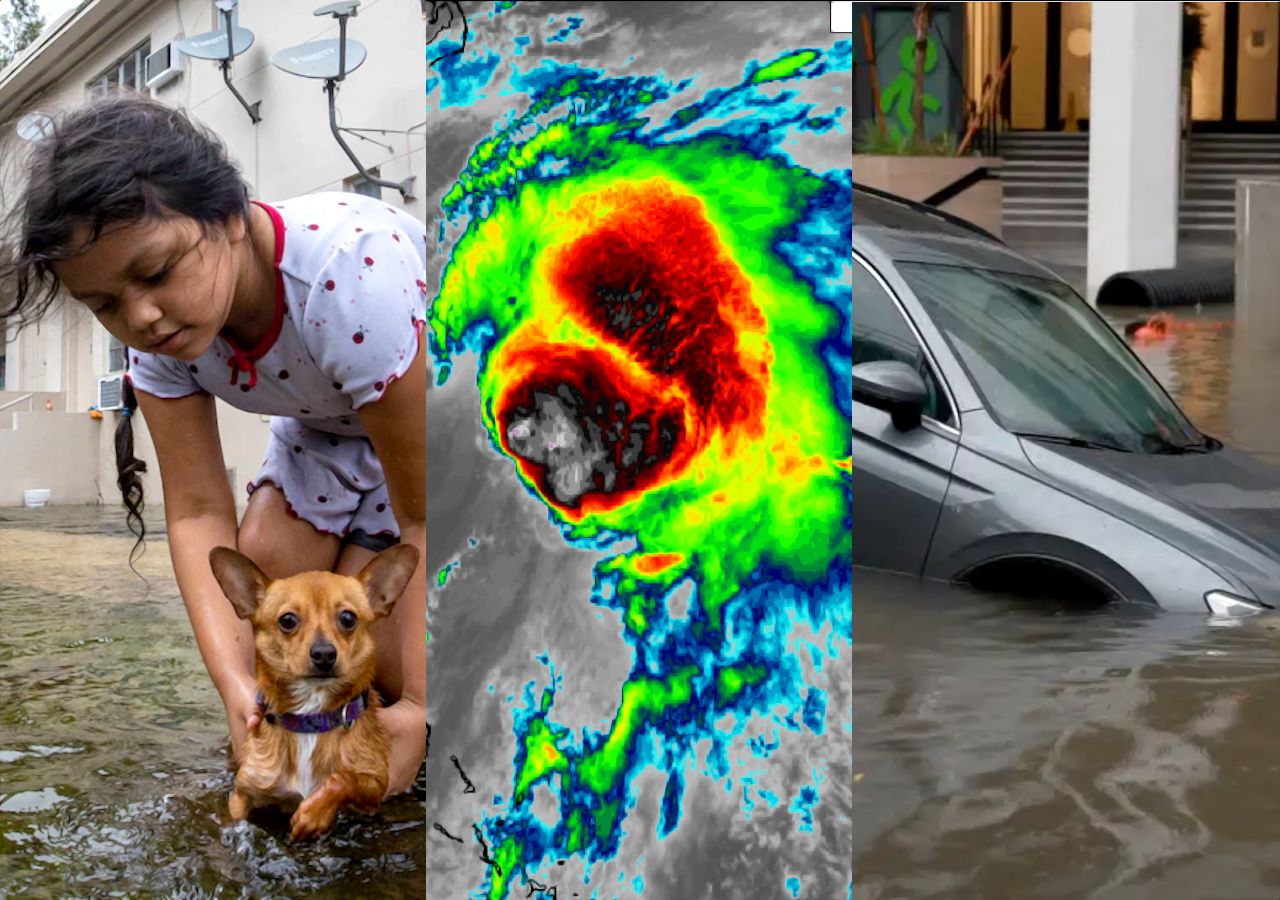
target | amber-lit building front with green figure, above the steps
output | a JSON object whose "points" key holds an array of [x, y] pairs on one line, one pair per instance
{"points": [[1235, 84]]}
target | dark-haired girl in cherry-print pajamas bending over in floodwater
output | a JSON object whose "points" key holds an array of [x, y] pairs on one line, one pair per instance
{"points": [[310, 310]]}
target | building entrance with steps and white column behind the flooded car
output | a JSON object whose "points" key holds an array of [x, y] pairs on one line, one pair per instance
{"points": [[1121, 127]]}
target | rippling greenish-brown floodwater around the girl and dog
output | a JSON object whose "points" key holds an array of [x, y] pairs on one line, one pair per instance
{"points": [[113, 743]]}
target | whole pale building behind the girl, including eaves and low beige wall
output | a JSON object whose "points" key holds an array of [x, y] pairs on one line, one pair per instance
{"points": [[51, 371]]}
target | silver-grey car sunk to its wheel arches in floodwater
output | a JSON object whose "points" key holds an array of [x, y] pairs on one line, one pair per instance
{"points": [[1005, 437]]}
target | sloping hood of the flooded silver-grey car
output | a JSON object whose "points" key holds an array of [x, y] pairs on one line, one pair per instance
{"points": [[1222, 508]]}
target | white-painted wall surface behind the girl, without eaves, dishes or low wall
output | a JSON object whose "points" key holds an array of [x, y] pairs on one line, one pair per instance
{"points": [[290, 153]]}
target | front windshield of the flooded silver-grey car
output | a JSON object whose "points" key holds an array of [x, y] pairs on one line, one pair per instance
{"points": [[1045, 363]]}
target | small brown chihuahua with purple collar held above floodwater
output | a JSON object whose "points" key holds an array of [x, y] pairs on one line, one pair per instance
{"points": [[319, 743]]}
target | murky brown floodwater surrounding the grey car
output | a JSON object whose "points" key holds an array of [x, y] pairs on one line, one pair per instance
{"points": [[1017, 750]]}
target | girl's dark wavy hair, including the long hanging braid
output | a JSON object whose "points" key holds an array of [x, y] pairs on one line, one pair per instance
{"points": [[118, 161]]}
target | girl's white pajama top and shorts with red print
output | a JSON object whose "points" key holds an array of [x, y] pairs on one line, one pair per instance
{"points": [[350, 316]]}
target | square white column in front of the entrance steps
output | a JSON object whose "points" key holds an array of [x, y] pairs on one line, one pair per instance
{"points": [[1135, 106]]}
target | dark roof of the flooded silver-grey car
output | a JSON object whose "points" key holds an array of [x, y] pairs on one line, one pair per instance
{"points": [[906, 231]]}
